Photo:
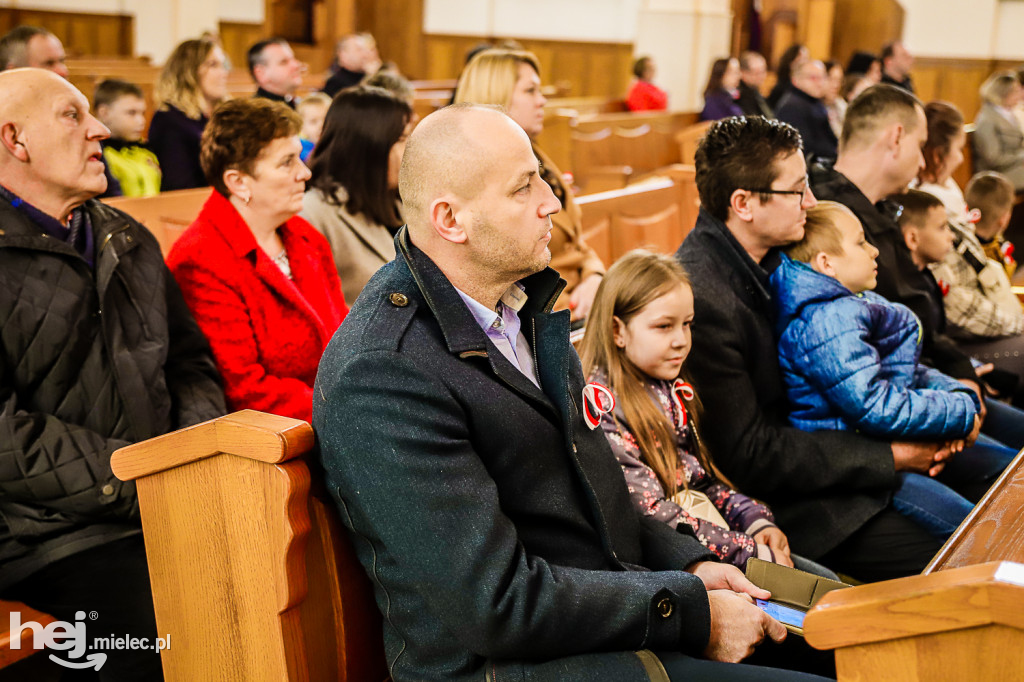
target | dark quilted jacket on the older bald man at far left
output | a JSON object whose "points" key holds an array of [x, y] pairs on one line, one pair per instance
{"points": [[91, 361]]}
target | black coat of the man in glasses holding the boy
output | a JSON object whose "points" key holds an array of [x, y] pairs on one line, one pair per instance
{"points": [[822, 487]]}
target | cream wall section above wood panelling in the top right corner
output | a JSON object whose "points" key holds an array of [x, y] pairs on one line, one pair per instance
{"points": [[971, 29]]}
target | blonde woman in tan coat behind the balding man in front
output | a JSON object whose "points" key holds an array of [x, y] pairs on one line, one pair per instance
{"points": [[511, 79]]}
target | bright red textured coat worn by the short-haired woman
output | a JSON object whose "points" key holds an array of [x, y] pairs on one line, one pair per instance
{"points": [[268, 332]]}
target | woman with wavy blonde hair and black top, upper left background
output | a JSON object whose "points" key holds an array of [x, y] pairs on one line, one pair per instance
{"points": [[193, 83]]}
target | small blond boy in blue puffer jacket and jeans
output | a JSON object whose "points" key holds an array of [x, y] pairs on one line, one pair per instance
{"points": [[850, 360]]}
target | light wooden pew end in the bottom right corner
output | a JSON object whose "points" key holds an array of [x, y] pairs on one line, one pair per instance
{"points": [[964, 624]]}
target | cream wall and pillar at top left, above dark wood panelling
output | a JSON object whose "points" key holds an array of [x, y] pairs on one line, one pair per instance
{"points": [[160, 25]]}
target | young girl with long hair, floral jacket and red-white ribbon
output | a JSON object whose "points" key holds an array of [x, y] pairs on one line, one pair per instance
{"points": [[637, 337]]}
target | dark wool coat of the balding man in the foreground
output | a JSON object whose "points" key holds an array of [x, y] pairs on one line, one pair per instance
{"points": [[497, 529]]}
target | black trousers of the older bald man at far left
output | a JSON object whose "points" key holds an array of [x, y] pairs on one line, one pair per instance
{"points": [[113, 582]]}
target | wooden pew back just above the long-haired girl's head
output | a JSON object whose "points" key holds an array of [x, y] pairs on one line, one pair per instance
{"points": [[643, 216]]}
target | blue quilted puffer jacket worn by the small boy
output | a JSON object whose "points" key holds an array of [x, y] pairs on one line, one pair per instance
{"points": [[851, 363]]}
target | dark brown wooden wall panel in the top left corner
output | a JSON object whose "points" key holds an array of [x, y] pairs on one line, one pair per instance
{"points": [[82, 34]]}
